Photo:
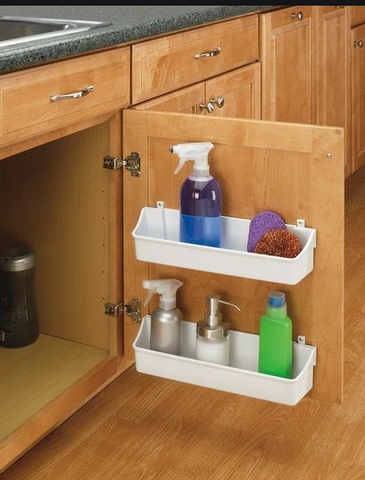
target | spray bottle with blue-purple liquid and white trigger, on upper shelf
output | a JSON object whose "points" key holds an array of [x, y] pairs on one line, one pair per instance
{"points": [[200, 197]]}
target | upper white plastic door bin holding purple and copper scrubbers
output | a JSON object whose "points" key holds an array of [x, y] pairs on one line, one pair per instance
{"points": [[156, 240]]}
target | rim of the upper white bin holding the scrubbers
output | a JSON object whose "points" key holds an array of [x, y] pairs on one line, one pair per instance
{"points": [[227, 251]]}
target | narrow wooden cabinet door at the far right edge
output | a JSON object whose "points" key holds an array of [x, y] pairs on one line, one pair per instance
{"points": [[358, 97]]}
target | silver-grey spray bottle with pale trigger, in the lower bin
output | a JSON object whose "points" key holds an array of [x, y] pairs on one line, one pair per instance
{"points": [[165, 320]]}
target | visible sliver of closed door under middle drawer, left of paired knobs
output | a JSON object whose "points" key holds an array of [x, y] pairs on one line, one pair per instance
{"points": [[186, 100]]}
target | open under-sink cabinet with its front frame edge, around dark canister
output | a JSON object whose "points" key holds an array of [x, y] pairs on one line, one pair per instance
{"points": [[59, 201]]}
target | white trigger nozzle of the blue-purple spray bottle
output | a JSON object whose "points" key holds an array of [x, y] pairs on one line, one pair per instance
{"points": [[197, 152]]}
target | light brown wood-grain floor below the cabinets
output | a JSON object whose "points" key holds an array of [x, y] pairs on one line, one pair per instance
{"points": [[142, 427]]}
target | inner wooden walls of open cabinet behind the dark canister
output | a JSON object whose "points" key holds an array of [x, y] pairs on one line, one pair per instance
{"points": [[55, 200]]}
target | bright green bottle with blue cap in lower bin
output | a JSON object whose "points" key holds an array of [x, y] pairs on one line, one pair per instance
{"points": [[276, 345]]}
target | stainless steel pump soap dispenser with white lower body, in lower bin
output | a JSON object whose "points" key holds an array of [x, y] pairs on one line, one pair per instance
{"points": [[212, 344]]}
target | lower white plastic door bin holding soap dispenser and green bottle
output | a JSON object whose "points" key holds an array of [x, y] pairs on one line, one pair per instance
{"points": [[241, 377]]}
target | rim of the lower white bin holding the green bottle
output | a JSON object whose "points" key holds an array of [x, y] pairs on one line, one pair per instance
{"points": [[215, 366]]}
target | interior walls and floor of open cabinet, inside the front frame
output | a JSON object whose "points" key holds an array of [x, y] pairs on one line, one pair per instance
{"points": [[55, 201]]}
